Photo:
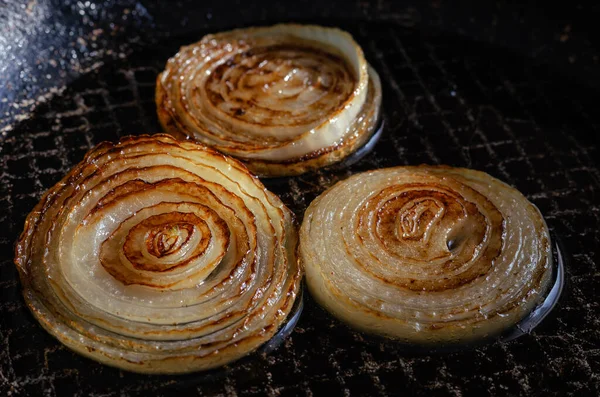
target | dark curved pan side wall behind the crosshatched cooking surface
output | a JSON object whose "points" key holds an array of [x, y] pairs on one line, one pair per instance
{"points": [[76, 34]]}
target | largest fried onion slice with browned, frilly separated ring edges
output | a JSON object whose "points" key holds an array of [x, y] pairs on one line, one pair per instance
{"points": [[159, 256]]}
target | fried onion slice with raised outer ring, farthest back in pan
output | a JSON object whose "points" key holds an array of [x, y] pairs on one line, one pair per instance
{"points": [[284, 99]]}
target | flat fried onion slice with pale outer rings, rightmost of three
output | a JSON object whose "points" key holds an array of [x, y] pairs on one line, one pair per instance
{"points": [[426, 254]]}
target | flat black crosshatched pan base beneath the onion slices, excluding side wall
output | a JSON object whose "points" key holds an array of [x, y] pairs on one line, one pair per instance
{"points": [[445, 101]]}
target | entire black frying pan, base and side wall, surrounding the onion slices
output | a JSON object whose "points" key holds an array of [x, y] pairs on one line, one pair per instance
{"points": [[509, 89]]}
